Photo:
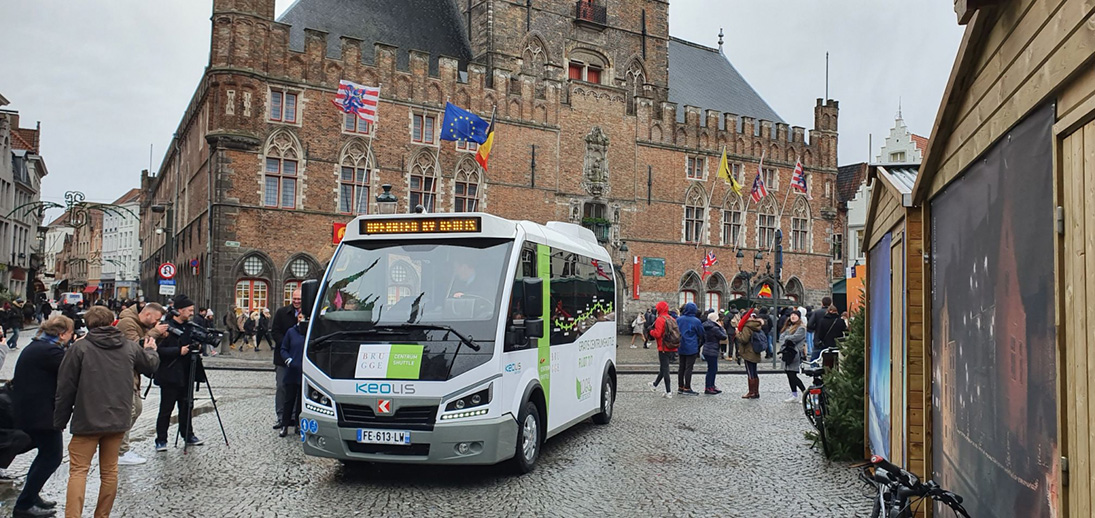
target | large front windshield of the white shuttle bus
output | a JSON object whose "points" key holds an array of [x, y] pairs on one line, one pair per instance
{"points": [[443, 295]]}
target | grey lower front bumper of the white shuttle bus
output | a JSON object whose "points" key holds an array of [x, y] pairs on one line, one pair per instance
{"points": [[477, 442]]}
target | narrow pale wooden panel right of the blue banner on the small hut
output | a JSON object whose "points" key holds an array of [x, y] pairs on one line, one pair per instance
{"points": [[897, 351]]}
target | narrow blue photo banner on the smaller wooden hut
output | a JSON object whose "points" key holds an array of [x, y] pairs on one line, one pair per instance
{"points": [[879, 389]]}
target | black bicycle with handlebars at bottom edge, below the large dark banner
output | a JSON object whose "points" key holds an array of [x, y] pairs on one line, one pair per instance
{"points": [[902, 493]]}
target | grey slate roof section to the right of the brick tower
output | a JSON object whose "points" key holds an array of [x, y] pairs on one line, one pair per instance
{"points": [[704, 77]]}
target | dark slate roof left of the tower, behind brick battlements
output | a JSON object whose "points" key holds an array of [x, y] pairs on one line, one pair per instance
{"points": [[430, 26]]}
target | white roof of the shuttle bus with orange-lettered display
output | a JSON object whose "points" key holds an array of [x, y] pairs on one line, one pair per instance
{"points": [[475, 225]]}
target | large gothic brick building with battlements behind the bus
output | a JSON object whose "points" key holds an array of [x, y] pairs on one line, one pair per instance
{"points": [[603, 119]]}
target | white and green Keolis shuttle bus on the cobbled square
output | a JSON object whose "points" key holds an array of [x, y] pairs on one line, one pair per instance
{"points": [[457, 339]]}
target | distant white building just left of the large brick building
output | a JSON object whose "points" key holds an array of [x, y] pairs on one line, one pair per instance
{"points": [[122, 248]]}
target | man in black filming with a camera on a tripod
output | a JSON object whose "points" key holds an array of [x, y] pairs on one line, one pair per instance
{"points": [[175, 374]]}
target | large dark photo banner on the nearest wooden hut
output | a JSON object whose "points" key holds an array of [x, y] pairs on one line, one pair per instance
{"points": [[994, 374]]}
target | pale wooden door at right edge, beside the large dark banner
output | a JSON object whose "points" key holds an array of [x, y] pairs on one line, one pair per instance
{"points": [[1077, 193]]}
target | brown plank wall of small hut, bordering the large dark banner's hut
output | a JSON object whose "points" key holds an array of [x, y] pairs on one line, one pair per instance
{"points": [[918, 376]]}
